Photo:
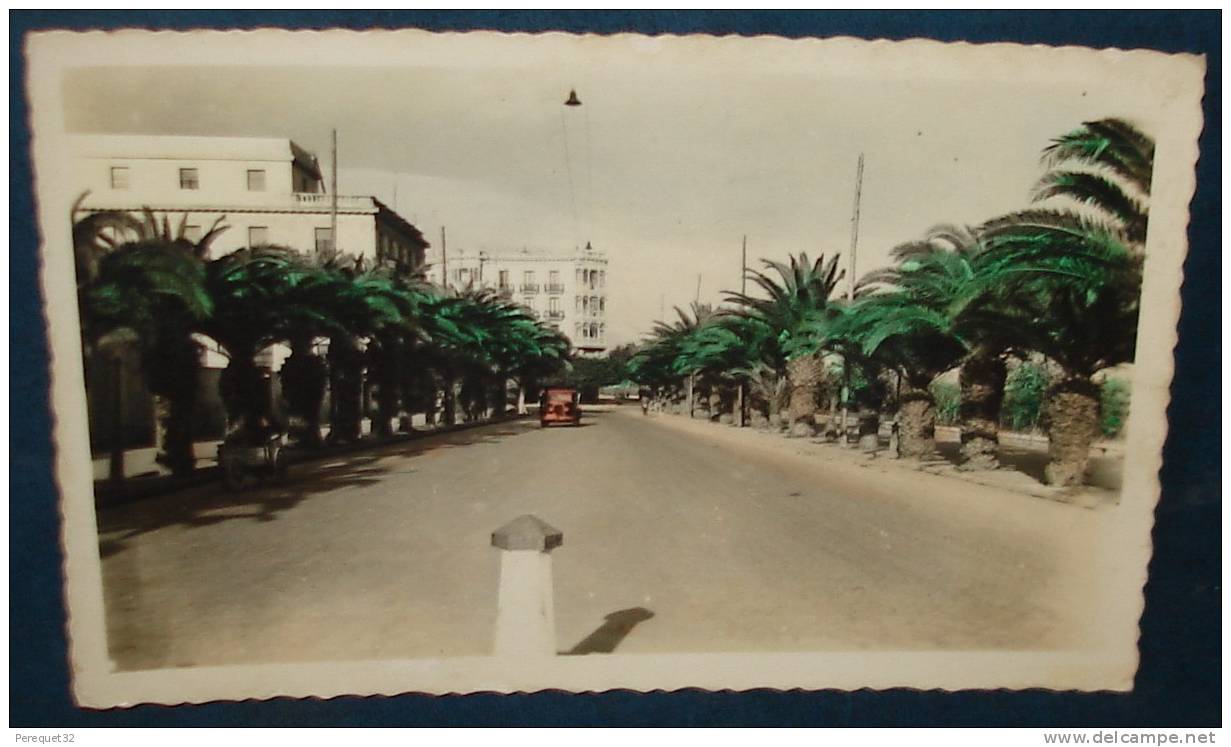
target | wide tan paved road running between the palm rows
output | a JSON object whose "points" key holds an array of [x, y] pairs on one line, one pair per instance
{"points": [[679, 538]]}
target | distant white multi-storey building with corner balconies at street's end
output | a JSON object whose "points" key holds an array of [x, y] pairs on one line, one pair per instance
{"points": [[568, 292]]}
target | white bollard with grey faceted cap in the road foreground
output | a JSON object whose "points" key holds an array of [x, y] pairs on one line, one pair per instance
{"points": [[525, 611]]}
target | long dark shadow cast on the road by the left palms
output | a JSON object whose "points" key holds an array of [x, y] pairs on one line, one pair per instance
{"points": [[212, 504]]}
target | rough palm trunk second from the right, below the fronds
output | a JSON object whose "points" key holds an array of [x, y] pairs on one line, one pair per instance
{"points": [[983, 391]]}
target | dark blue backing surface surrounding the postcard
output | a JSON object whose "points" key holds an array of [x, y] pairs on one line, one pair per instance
{"points": [[1180, 681]]}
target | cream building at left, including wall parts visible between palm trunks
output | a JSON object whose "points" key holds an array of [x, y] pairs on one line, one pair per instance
{"points": [[267, 191]]}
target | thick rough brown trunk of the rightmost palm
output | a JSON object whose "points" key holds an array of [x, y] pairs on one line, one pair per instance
{"points": [[1072, 413]]}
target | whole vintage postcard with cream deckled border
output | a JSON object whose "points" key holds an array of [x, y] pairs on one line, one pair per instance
{"points": [[396, 362]]}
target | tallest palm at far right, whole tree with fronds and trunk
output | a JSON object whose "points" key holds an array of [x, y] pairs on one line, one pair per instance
{"points": [[1078, 274]]}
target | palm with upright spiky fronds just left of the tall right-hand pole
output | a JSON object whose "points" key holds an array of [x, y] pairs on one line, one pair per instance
{"points": [[802, 291]]}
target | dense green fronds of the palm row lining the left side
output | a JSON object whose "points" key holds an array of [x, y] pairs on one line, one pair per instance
{"points": [[143, 279]]}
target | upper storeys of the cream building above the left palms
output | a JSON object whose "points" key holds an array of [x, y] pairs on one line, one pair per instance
{"points": [[267, 190]]}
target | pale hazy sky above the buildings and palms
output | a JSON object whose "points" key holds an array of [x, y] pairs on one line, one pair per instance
{"points": [[669, 163]]}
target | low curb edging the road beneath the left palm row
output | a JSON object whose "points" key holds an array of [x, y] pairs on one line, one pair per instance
{"points": [[138, 489]]}
